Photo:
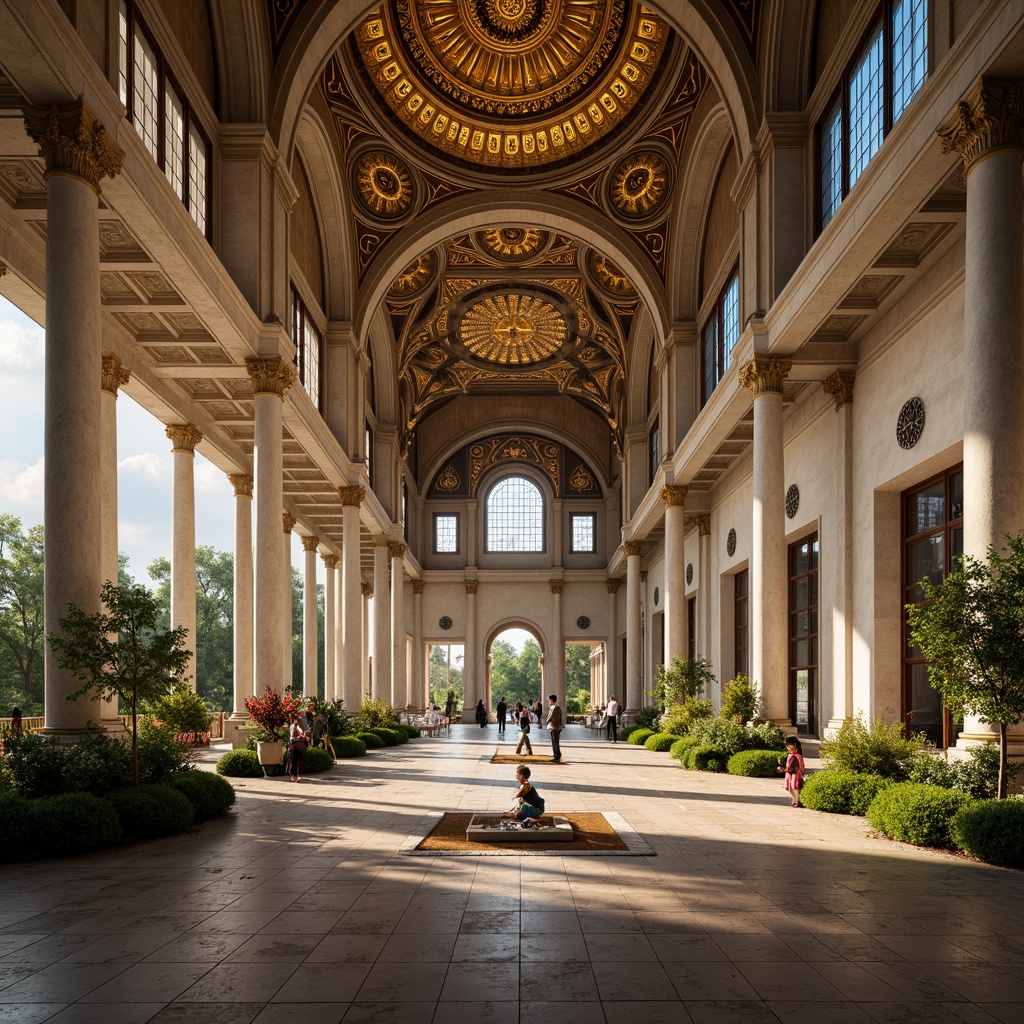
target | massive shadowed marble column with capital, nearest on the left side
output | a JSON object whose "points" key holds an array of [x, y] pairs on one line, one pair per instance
{"points": [[78, 156]]}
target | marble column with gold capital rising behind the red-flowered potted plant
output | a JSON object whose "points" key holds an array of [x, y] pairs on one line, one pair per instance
{"points": [[271, 377]]}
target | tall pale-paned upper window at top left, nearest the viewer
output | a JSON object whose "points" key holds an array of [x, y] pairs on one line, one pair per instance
{"points": [[162, 116]]}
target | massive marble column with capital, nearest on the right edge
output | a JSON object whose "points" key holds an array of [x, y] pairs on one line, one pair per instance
{"points": [[988, 131]]}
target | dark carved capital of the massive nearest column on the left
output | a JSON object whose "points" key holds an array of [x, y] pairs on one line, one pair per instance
{"points": [[72, 142]]}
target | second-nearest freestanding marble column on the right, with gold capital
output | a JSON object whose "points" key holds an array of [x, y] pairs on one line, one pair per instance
{"points": [[764, 376]]}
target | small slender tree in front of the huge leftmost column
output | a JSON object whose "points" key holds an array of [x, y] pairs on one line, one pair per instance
{"points": [[120, 653]]}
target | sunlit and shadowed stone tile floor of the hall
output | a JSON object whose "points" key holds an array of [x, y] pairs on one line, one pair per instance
{"points": [[297, 908]]}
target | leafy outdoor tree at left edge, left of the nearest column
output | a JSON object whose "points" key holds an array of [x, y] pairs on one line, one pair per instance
{"points": [[22, 614]]}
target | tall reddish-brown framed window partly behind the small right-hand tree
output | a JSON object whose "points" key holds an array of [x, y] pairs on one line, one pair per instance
{"points": [[933, 542]]}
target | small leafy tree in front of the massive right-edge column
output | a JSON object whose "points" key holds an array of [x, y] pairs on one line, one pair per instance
{"points": [[972, 632]]}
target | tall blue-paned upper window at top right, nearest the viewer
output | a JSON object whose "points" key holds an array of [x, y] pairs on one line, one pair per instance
{"points": [[877, 90]]}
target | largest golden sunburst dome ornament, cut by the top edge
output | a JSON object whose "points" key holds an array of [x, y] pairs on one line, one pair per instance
{"points": [[511, 84]]}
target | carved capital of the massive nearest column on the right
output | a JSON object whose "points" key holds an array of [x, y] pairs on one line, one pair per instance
{"points": [[989, 119]]}
